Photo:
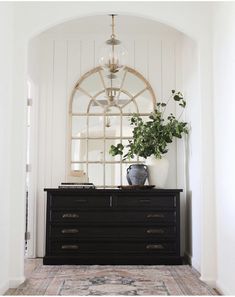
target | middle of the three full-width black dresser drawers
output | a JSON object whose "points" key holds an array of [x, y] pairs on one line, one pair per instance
{"points": [[75, 231]]}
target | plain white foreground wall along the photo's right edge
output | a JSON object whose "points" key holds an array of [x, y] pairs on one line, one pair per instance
{"points": [[224, 106]]}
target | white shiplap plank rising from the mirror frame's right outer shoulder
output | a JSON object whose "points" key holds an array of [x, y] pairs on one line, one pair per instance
{"points": [[154, 67]]}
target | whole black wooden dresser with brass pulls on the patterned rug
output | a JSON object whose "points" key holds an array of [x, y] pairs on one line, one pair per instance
{"points": [[109, 226]]}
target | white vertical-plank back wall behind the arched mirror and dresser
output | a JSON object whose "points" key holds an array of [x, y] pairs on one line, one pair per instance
{"points": [[67, 52]]}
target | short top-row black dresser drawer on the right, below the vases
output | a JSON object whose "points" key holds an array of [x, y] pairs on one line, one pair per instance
{"points": [[145, 201]]}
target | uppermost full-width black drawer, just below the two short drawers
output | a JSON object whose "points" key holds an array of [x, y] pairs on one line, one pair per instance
{"points": [[113, 217]]}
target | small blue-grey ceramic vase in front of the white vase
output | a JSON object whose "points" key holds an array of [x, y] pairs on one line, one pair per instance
{"points": [[137, 174]]}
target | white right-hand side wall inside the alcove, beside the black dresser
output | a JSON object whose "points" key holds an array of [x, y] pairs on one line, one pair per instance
{"points": [[190, 73]]}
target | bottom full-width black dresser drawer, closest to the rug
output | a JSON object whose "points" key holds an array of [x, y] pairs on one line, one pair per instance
{"points": [[75, 247]]}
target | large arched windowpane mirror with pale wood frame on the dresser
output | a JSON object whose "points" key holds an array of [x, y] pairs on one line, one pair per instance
{"points": [[99, 112]]}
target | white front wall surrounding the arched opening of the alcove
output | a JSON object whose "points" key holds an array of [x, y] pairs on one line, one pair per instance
{"points": [[192, 18]]}
